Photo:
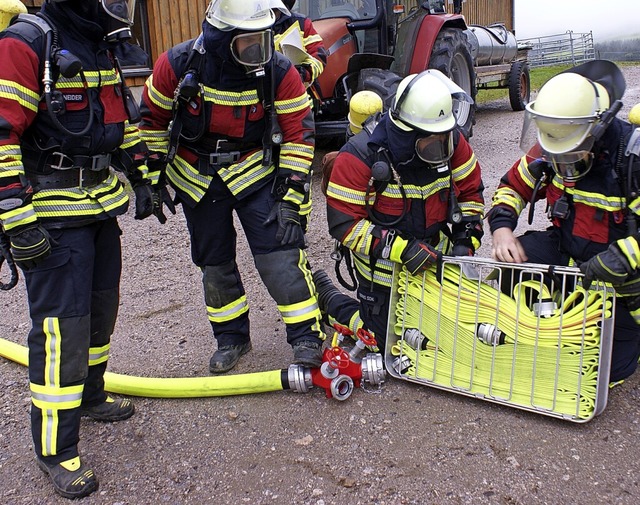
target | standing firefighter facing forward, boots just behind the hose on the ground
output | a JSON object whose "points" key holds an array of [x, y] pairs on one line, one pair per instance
{"points": [[246, 143]]}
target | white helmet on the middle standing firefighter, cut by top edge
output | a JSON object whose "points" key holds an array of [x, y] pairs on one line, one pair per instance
{"points": [[250, 15]]}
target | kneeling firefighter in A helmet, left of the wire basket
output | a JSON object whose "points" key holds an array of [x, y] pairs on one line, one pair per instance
{"points": [[404, 193]]}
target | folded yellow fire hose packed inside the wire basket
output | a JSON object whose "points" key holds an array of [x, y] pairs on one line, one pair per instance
{"points": [[551, 364]]}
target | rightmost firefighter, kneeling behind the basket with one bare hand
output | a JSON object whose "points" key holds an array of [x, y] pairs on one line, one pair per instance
{"points": [[575, 158]]}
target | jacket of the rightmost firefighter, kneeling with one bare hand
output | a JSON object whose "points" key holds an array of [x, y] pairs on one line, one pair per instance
{"points": [[591, 213]]}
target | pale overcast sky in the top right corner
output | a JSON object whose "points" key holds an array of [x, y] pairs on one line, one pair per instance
{"points": [[605, 18]]}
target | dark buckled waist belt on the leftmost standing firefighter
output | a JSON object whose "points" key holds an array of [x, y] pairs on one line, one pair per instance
{"points": [[60, 171]]}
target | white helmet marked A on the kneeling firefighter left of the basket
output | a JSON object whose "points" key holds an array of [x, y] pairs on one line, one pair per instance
{"points": [[424, 102]]}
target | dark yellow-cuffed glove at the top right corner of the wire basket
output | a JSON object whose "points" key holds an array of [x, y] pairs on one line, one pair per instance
{"points": [[613, 265]]}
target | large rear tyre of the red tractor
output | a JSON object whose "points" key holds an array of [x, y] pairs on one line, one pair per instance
{"points": [[451, 55]]}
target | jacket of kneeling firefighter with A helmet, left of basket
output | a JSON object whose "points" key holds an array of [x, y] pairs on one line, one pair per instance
{"points": [[360, 209]]}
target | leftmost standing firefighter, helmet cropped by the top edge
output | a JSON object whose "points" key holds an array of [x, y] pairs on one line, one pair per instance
{"points": [[61, 129]]}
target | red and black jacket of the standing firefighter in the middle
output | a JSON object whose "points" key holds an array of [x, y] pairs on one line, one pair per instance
{"points": [[223, 127]]}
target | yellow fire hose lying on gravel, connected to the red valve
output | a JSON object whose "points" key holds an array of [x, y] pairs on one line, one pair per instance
{"points": [[190, 387]]}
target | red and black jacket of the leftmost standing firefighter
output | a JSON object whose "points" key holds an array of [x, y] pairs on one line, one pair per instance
{"points": [[47, 175]]}
